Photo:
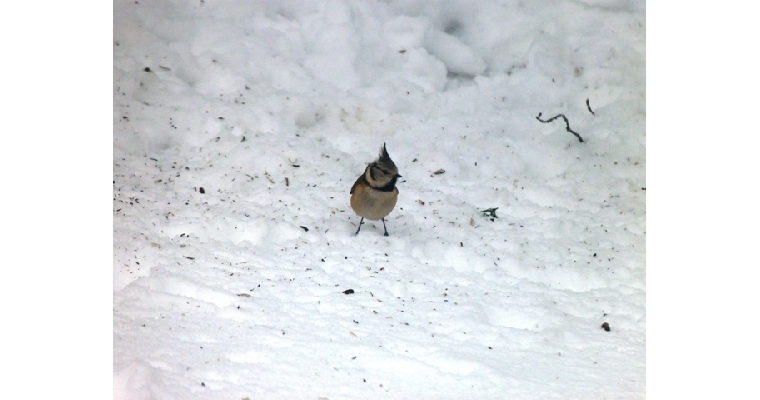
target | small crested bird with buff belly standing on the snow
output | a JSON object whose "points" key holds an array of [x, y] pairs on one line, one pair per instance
{"points": [[374, 193]]}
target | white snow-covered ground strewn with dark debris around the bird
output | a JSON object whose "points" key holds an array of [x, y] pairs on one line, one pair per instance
{"points": [[239, 128]]}
